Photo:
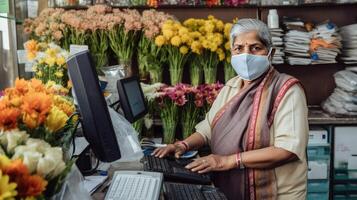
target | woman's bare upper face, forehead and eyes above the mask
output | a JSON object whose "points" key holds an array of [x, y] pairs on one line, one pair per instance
{"points": [[250, 43]]}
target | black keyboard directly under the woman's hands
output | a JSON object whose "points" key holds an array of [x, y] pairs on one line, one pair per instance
{"points": [[174, 170]]}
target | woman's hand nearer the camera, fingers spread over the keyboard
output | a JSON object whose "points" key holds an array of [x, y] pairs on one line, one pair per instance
{"points": [[212, 163]]}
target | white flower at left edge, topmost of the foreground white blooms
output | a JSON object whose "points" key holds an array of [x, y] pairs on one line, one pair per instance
{"points": [[12, 138]]}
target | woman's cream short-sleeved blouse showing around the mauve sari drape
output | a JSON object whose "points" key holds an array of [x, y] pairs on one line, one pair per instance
{"points": [[289, 131]]}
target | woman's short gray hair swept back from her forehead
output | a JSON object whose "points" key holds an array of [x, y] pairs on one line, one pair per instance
{"points": [[247, 25]]}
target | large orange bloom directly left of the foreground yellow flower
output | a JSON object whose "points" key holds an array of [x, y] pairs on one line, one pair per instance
{"points": [[36, 106]]}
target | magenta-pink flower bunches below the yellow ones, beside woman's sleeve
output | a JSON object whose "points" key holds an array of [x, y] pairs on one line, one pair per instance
{"points": [[195, 102]]}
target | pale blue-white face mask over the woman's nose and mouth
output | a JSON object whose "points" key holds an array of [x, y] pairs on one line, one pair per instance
{"points": [[250, 67]]}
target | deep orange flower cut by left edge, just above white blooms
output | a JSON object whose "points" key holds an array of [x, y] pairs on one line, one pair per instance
{"points": [[9, 117]]}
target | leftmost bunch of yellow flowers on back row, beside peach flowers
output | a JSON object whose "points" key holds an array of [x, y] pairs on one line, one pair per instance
{"points": [[175, 40]]}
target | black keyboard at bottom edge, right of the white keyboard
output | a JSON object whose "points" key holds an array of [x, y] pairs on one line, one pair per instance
{"points": [[179, 191]]}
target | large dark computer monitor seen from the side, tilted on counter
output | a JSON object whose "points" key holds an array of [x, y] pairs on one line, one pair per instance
{"points": [[96, 122]]}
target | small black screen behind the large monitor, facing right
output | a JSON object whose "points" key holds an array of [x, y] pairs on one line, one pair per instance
{"points": [[131, 98]]}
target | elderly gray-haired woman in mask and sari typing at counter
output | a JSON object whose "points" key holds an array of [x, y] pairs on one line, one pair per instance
{"points": [[257, 127]]}
